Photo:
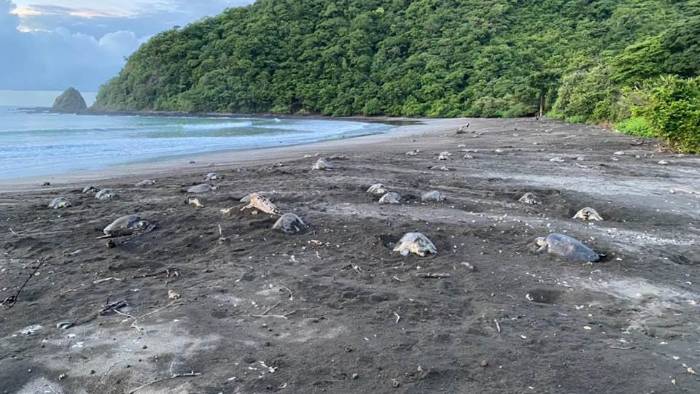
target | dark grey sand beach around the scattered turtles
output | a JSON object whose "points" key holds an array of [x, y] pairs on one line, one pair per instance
{"points": [[214, 303]]}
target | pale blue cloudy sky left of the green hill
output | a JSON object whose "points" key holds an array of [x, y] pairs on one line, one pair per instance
{"points": [[52, 45]]}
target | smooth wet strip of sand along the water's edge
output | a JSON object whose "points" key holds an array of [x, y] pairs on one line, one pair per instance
{"points": [[181, 165]]}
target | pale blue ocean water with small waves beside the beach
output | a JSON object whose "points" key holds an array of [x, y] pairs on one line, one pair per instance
{"points": [[34, 144]]}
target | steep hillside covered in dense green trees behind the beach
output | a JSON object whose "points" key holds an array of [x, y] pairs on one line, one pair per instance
{"points": [[582, 60]]}
